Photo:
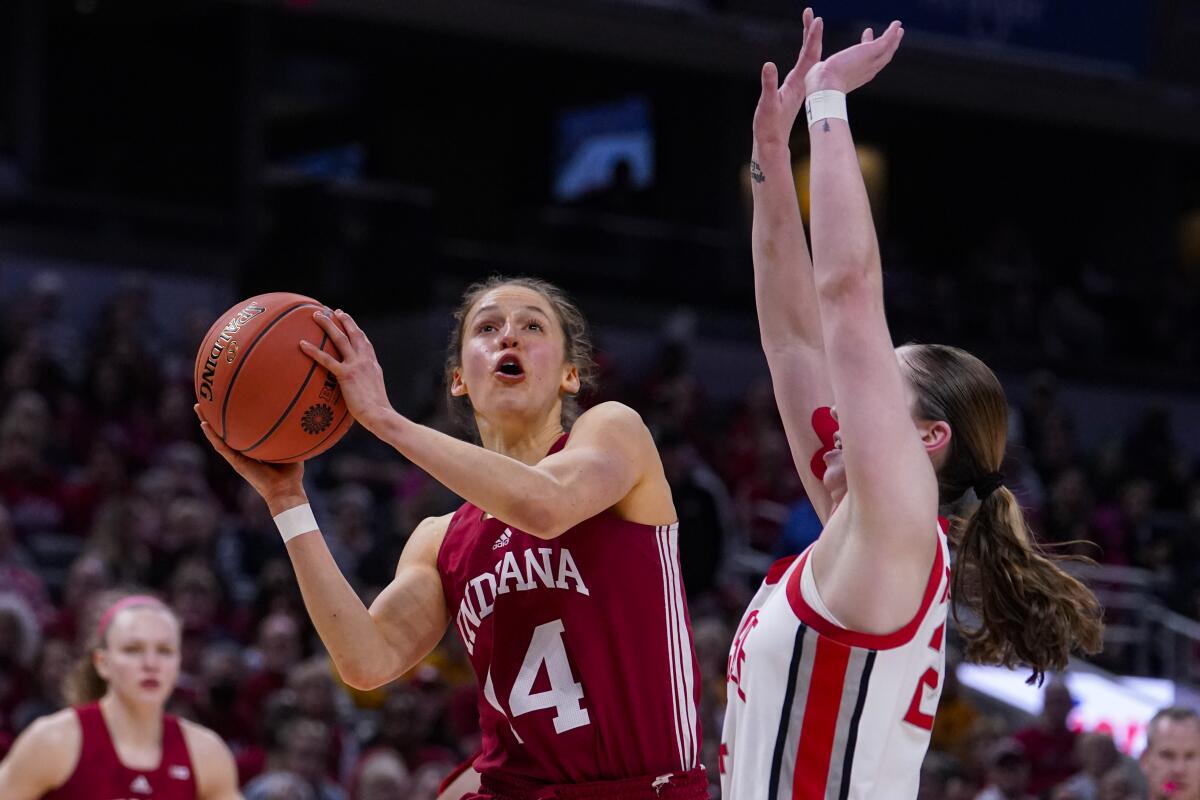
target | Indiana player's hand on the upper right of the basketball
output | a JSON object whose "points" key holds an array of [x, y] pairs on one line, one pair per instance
{"points": [[358, 372]]}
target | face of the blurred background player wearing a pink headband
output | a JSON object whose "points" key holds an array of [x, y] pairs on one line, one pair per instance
{"points": [[141, 659]]}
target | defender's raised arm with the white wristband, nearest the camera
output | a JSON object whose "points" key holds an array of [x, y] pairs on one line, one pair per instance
{"points": [[892, 484]]}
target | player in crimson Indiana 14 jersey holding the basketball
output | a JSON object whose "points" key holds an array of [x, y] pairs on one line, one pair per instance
{"points": [[561, 572]]}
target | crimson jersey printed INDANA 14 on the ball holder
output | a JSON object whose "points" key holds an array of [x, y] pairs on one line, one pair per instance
{"points": [[583, 648]]}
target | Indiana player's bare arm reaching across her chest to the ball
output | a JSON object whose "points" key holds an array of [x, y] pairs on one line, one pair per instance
{"points": [[610, 452]]}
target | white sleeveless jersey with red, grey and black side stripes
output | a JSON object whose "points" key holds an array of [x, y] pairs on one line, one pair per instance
{"points": [[818, 712]]}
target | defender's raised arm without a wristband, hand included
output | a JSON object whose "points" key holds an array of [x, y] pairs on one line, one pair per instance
{"points": [[789, 318]]}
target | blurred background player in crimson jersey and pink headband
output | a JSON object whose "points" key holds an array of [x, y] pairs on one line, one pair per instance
{"points": [[116, 743]]}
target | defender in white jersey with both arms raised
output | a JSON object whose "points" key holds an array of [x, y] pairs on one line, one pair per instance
{"points": [[836, 671]]}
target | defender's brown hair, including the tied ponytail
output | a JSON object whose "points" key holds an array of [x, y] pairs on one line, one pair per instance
{"points": [[1030, 611]]}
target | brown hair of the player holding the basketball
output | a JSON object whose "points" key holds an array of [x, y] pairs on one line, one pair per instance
{"points": [[577, 342]]}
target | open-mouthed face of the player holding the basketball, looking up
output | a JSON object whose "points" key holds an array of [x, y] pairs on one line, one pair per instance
{"points": [[513, 357]]}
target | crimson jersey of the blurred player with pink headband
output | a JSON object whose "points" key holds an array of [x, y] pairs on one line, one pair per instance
{"points": [[100, 774]]}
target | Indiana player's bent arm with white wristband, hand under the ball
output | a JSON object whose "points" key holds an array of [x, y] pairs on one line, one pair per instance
{"points": [[369, 648]]}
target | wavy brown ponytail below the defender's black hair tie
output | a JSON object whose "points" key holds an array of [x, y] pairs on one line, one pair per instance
{"points": [[1030, 611]]}
